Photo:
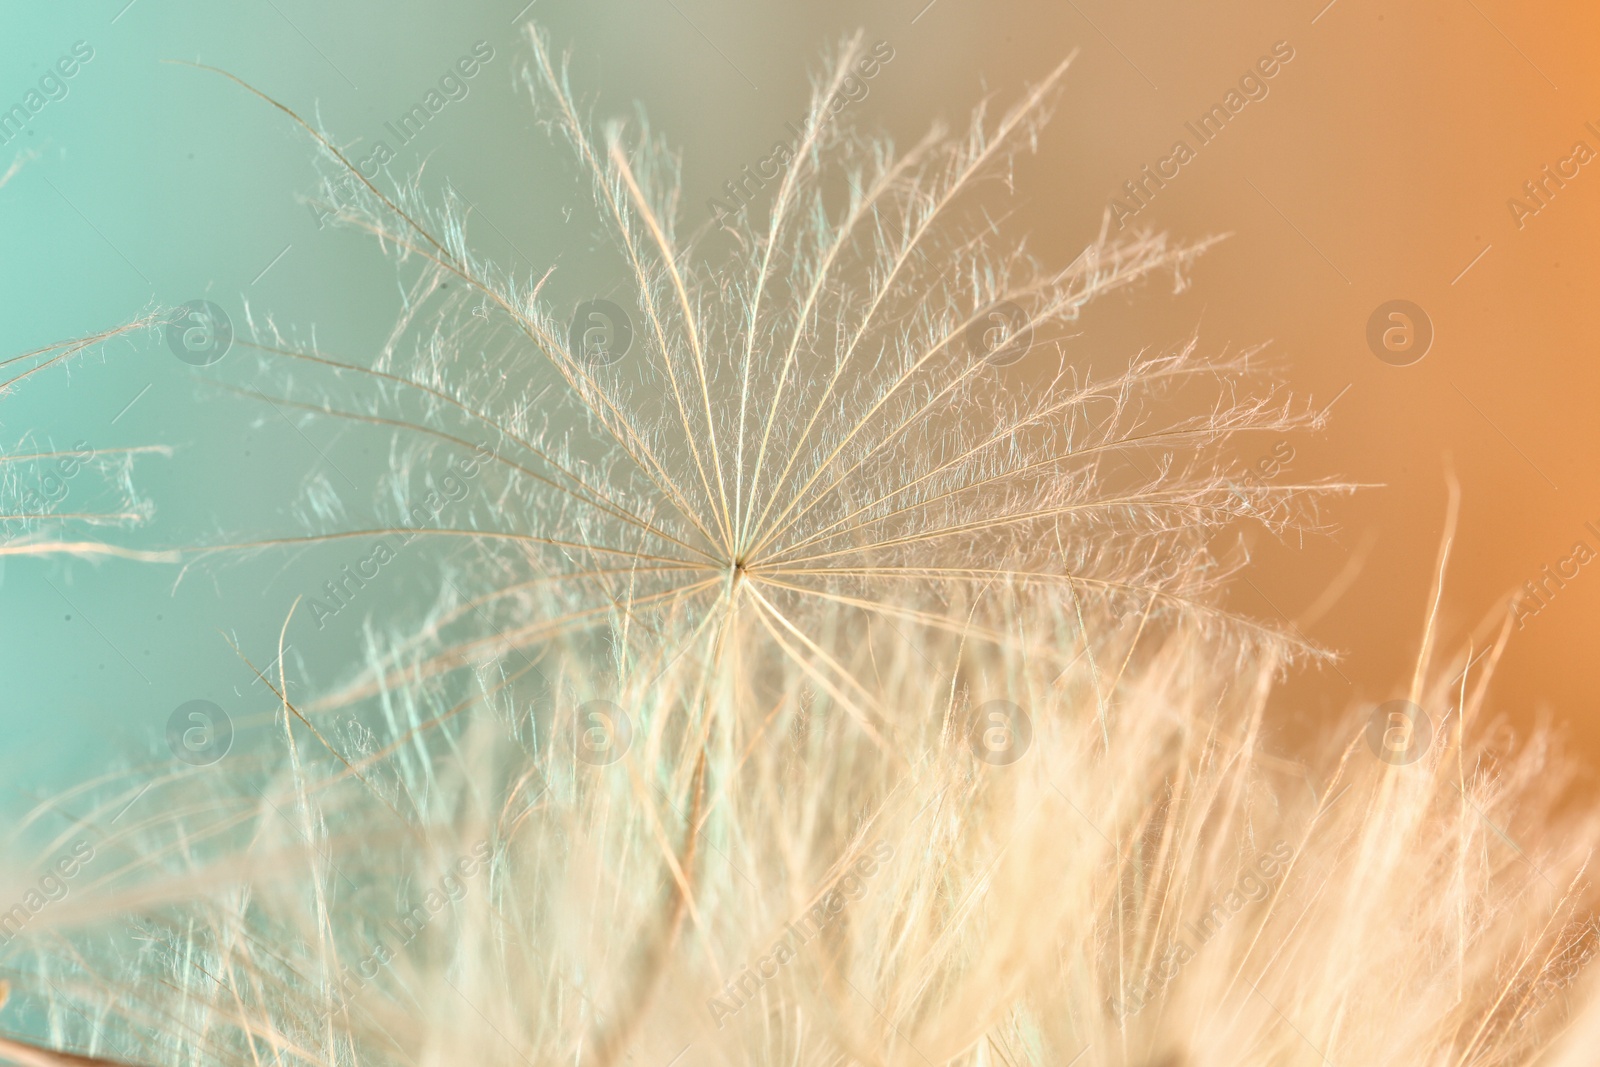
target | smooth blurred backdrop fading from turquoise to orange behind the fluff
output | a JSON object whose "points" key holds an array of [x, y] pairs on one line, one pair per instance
{"points": [[1378, 169]]}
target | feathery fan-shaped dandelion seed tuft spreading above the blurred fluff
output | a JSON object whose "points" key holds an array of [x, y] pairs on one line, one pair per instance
{"points": [[810, 423]]}
